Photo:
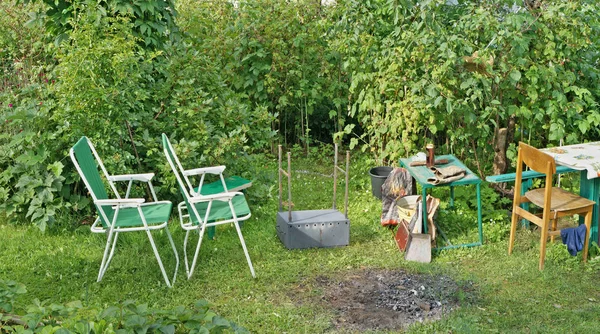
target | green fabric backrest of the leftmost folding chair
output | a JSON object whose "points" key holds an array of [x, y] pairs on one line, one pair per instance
{"points": [[86, 161]]}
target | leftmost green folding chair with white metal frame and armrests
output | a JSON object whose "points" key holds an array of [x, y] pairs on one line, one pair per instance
{"points": [[116, 214]]}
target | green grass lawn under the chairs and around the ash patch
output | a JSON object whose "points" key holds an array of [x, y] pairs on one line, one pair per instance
{"points": [[511, 294]]}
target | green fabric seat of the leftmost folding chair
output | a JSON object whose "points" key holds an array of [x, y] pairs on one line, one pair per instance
{"points": [[155, 214]]}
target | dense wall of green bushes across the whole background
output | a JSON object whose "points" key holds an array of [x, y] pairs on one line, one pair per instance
{"points": [[225, 81]]}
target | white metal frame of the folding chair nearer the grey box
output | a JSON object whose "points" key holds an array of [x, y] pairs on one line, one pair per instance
{"points": [[193, 197]]}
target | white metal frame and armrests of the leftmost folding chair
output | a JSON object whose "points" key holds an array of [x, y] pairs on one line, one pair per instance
{"points": [[119, 203]]}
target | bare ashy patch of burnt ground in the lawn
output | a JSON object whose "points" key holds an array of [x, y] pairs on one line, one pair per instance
{"points": [[390, 299]]}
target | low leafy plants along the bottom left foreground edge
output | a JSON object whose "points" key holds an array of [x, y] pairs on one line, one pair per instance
{"points": [[127, 317]]}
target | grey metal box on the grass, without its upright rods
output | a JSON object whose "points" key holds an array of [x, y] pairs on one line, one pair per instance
{"points": [[313, 228]]}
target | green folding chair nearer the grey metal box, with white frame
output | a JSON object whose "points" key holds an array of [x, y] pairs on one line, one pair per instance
{"points": [[199, 212]]}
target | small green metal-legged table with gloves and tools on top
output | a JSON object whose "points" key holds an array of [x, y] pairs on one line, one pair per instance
{"points": [[422, 173]]}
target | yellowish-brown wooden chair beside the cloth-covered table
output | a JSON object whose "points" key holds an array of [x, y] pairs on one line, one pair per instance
{"points": [[555, 202]]}
